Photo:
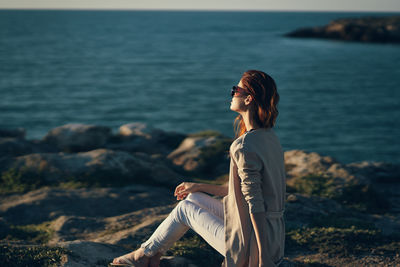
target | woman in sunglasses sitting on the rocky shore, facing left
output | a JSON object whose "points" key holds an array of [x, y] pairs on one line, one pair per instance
{"points": [[247, 227]]}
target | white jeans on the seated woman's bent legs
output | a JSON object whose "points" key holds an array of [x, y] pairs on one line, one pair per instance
{"points": [[198, 211]]}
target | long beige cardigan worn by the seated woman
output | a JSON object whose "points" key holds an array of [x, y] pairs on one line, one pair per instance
{"points": [[256, 183]]}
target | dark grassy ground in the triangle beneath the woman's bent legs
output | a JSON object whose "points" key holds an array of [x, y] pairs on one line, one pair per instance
{"points": [[193, 247]]}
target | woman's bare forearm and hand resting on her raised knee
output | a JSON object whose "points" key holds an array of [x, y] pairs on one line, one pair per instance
{"points": [[182, 190]]}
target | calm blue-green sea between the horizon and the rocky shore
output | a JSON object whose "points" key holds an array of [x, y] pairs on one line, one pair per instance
{"points": [[174, 70]]}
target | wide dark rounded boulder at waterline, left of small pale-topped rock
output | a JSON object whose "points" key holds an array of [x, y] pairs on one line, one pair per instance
{"points": [[76, 137]]}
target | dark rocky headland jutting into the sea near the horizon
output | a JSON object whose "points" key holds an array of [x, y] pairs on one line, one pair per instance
{"points": [[365, 29]]}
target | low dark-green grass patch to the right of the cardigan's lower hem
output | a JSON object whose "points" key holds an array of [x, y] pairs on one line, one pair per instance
{"points": [[342, 242]]}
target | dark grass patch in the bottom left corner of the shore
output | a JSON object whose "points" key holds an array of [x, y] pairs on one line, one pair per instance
{"points": [[31, 256]]}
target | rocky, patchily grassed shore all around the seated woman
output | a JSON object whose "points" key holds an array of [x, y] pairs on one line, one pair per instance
{"points": [[83, 195]]}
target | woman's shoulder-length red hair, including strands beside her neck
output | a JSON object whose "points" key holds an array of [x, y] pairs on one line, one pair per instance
{"points": [[262, 88]]}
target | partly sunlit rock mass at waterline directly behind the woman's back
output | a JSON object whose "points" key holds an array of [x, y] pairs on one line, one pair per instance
{"points": [[372, 186]]}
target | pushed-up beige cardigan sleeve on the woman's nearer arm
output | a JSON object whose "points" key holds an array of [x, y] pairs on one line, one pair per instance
{"points": [[249, 169]]}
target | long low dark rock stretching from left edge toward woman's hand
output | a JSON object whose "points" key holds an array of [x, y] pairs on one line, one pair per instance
{"points": [[99, 166]]}
